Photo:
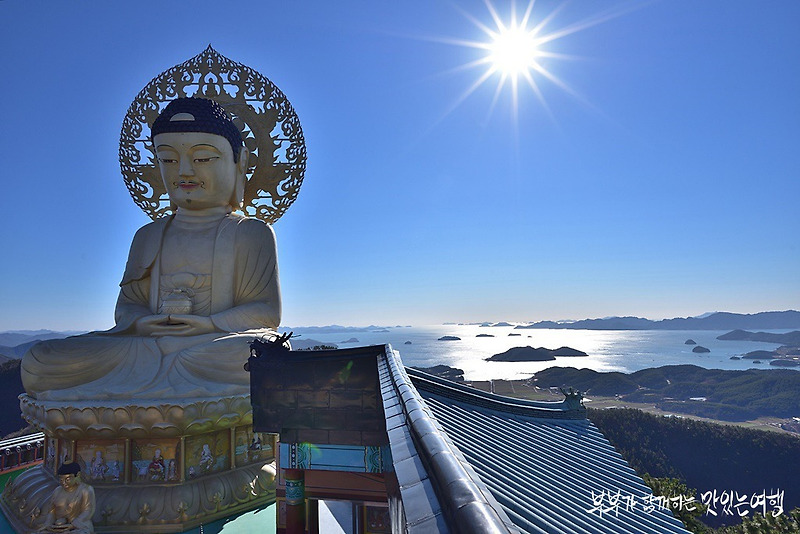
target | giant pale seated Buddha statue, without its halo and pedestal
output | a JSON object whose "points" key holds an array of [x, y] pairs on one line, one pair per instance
{"points": [[198, 285]]}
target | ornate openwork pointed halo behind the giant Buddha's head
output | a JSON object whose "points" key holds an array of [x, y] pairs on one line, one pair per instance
{"points": [[270, 129]]}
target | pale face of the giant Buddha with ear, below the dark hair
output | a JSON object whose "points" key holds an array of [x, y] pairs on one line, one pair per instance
{"points": [[198, 169]]}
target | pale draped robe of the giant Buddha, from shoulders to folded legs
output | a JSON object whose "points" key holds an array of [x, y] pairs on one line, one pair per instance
{"points": [[229, 267]]}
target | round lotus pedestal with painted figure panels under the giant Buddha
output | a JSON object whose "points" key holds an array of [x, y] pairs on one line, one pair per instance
{"points": [[155, 466]]}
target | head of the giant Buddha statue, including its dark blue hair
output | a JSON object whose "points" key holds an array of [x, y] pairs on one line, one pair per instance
{"points": [[200, 154]]}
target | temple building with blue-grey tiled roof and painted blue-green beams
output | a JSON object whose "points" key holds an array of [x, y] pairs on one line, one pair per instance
{"points": [[416, 453]]}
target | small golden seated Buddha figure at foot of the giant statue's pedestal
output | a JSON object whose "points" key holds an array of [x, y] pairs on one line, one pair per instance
{"points": [[71, 505]]}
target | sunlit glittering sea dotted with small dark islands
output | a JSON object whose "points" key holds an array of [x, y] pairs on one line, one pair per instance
{"points": [[626, 351]]}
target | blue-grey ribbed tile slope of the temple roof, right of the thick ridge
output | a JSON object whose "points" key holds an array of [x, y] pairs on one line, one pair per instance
{"points": [[542, 468]]}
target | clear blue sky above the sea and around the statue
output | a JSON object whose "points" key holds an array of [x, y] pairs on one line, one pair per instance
{"points": [[658, 175]]}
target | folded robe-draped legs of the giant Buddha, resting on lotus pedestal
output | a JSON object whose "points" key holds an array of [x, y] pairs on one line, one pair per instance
{"points": [[117, 367]]}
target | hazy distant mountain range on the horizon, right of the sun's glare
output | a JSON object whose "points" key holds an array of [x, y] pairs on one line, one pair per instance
{"points": [[772, 320]]}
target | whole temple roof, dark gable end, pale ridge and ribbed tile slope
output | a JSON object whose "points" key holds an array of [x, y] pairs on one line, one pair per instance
{"points": [[463, 460]]}
